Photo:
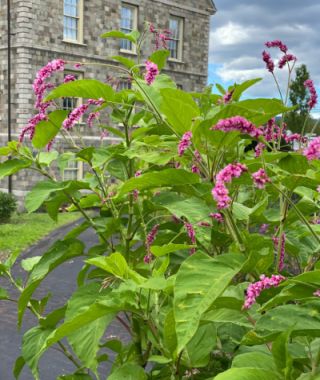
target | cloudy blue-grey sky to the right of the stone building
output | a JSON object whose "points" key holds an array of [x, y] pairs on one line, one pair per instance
{"points": [[239, 30]]}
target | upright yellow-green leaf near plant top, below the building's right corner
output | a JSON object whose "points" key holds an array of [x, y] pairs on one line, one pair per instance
{"points": [[179, 109]]}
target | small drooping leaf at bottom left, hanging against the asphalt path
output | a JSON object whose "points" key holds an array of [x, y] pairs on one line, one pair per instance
{"points": [[31, 343]]}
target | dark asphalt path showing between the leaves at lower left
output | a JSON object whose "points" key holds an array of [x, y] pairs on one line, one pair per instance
{"points": [[62, 282]]}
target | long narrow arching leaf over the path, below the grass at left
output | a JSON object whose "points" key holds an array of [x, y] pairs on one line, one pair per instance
{"points": [[60, 252]]}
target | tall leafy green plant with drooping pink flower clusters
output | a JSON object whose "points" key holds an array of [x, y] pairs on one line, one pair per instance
{"points": [[208, 239]]}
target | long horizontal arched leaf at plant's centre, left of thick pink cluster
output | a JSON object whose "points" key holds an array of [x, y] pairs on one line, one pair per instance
{"points": [[163, 178]]}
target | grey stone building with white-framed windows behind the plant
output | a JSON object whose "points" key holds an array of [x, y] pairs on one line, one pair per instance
{"points": [[43, 30]]}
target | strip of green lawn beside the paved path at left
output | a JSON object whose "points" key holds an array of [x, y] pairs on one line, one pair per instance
{"points": [[24, 230]]}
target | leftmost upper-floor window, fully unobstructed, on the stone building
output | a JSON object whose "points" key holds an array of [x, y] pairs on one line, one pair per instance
{"points": [[72, 20]]}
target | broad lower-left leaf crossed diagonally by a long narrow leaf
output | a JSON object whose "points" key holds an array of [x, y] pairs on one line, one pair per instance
{"points": [[85, 341]]}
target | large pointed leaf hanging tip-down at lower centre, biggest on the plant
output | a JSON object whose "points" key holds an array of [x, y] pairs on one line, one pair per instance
{"points": [[200, 281]]}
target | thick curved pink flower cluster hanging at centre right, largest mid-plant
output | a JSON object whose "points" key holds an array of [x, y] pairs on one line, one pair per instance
{"points": [[220, 192]]}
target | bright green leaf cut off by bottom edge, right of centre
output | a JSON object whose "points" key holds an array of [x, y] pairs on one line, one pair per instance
{"points": [[248, 374]]}
